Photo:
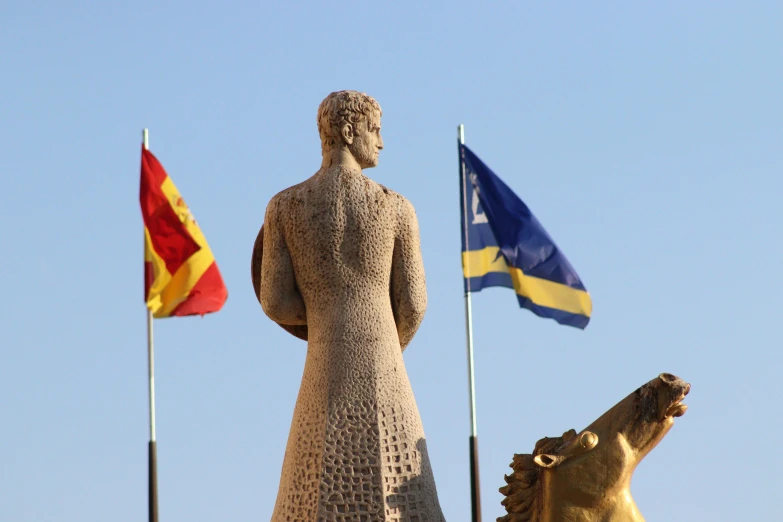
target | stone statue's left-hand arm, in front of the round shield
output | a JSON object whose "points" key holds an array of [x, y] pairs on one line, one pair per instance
{"points": [[279, 295]]}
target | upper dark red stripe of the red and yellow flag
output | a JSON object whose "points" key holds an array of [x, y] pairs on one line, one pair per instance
{"points": [[170, 238]]}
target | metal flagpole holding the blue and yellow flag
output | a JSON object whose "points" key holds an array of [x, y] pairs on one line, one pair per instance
{"points": [[475, 494]]}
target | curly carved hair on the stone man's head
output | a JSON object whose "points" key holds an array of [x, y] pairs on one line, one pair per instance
{"points": [[343, 107]]}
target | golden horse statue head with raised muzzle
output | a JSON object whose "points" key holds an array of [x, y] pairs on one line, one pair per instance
{"points": [[586, 477]]}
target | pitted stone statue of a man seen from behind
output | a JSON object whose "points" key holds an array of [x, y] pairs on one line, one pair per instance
{"points": [[342, 266]]}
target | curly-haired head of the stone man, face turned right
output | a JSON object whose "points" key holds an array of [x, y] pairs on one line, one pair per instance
{"points": [[352, 120]]}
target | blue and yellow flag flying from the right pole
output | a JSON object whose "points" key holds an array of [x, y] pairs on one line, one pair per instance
{"points": [[503, 244]]}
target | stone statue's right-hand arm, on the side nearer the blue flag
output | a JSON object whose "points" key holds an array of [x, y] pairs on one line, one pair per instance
{"points": [[408, 290]]}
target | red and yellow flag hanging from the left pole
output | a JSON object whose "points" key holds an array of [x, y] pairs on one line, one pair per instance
{"points": [[180, 273]]}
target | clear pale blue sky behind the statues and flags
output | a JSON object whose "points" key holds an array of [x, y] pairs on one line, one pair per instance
{"points": [[646, 137]]}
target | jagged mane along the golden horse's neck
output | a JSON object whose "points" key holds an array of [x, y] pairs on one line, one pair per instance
{"points": [[523, 487]]}
